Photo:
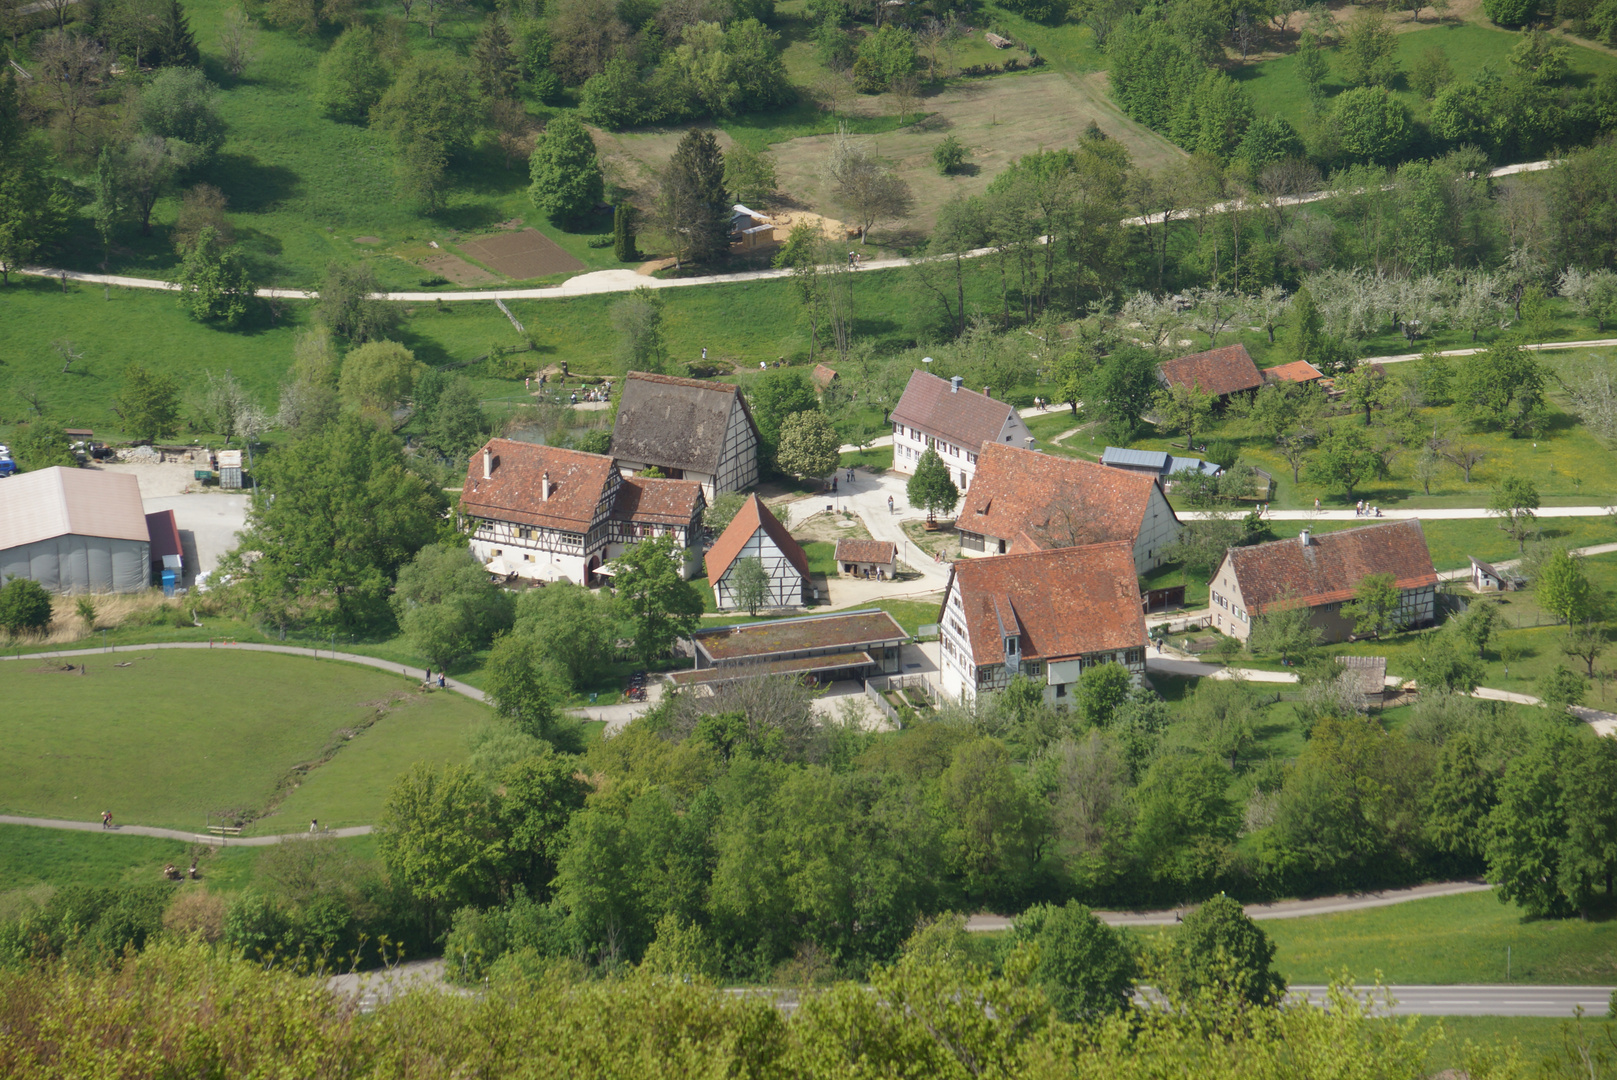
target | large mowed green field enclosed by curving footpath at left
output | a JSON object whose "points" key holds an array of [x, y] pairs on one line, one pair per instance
{"points": [[179, 736]]}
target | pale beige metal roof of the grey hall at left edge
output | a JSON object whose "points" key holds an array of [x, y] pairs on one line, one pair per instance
{"points": [[70, 502]]}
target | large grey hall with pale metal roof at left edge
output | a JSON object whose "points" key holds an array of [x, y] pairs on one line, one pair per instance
{"points": [[75, 531]]}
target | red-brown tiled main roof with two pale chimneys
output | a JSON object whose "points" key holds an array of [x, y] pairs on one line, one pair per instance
{"points": [[515, 491]]}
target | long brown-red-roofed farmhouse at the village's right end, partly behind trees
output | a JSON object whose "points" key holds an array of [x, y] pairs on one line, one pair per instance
{"points": [[1322, 573]]}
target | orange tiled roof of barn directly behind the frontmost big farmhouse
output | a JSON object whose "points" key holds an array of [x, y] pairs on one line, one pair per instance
{"points": [[1053, 502]]}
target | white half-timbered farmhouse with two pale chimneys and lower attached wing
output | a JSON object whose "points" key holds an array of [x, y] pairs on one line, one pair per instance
{"points": [[546, 513]]}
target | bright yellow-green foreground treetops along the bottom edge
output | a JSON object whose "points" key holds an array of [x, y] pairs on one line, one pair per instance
{"points": [[182, 1011]]}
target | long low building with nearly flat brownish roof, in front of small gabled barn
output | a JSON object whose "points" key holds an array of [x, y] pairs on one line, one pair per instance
{"points": [[829, 648]]}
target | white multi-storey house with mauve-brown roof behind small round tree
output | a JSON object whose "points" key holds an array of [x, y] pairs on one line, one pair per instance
{"points": [[942, 415]]}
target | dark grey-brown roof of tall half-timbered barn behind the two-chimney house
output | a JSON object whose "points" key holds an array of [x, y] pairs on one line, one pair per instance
{"points": [[673, 423]]}
